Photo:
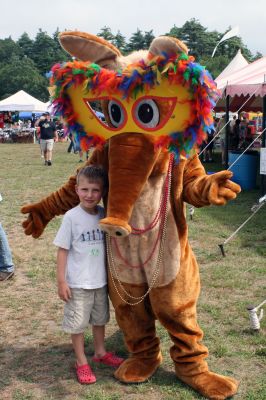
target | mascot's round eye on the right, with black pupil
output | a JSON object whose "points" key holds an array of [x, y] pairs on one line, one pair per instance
{"points": [[147, 113]]}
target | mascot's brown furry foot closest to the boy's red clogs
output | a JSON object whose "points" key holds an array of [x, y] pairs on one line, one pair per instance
{"points": [[137, 370]]}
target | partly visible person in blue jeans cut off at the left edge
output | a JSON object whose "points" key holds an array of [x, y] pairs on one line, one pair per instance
{"points": [[6, 263]]}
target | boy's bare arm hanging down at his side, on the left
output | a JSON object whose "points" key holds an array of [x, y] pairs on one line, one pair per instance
{"points": [[64, 291]]}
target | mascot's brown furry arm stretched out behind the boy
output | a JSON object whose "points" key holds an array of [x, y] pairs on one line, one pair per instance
{"points": [[56, 203]]}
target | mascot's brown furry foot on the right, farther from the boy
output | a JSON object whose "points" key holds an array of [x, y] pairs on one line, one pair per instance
{"points": [[212, 386]]}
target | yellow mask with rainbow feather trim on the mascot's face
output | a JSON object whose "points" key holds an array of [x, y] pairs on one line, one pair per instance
{"points": [[168, 96]]}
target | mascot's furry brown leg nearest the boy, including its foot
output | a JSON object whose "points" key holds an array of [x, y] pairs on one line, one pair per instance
{"points": [[138, 326]]}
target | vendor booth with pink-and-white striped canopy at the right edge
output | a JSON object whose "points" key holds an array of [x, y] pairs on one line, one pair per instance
{"points": [[245, 90]]}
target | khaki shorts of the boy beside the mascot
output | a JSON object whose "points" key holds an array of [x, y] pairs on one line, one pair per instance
{"points": [[86, 306]]}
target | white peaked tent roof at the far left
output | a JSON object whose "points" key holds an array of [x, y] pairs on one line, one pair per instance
{"points": [[22, 101]]}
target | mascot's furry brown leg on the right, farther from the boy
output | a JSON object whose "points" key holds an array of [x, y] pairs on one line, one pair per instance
{"points": [[175, 307]]}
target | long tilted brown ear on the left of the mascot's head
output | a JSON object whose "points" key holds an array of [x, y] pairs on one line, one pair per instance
{"points": [[87, 47]]}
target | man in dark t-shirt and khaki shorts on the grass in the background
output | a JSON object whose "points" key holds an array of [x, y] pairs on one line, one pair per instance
{"points": [[48, 135]]}
